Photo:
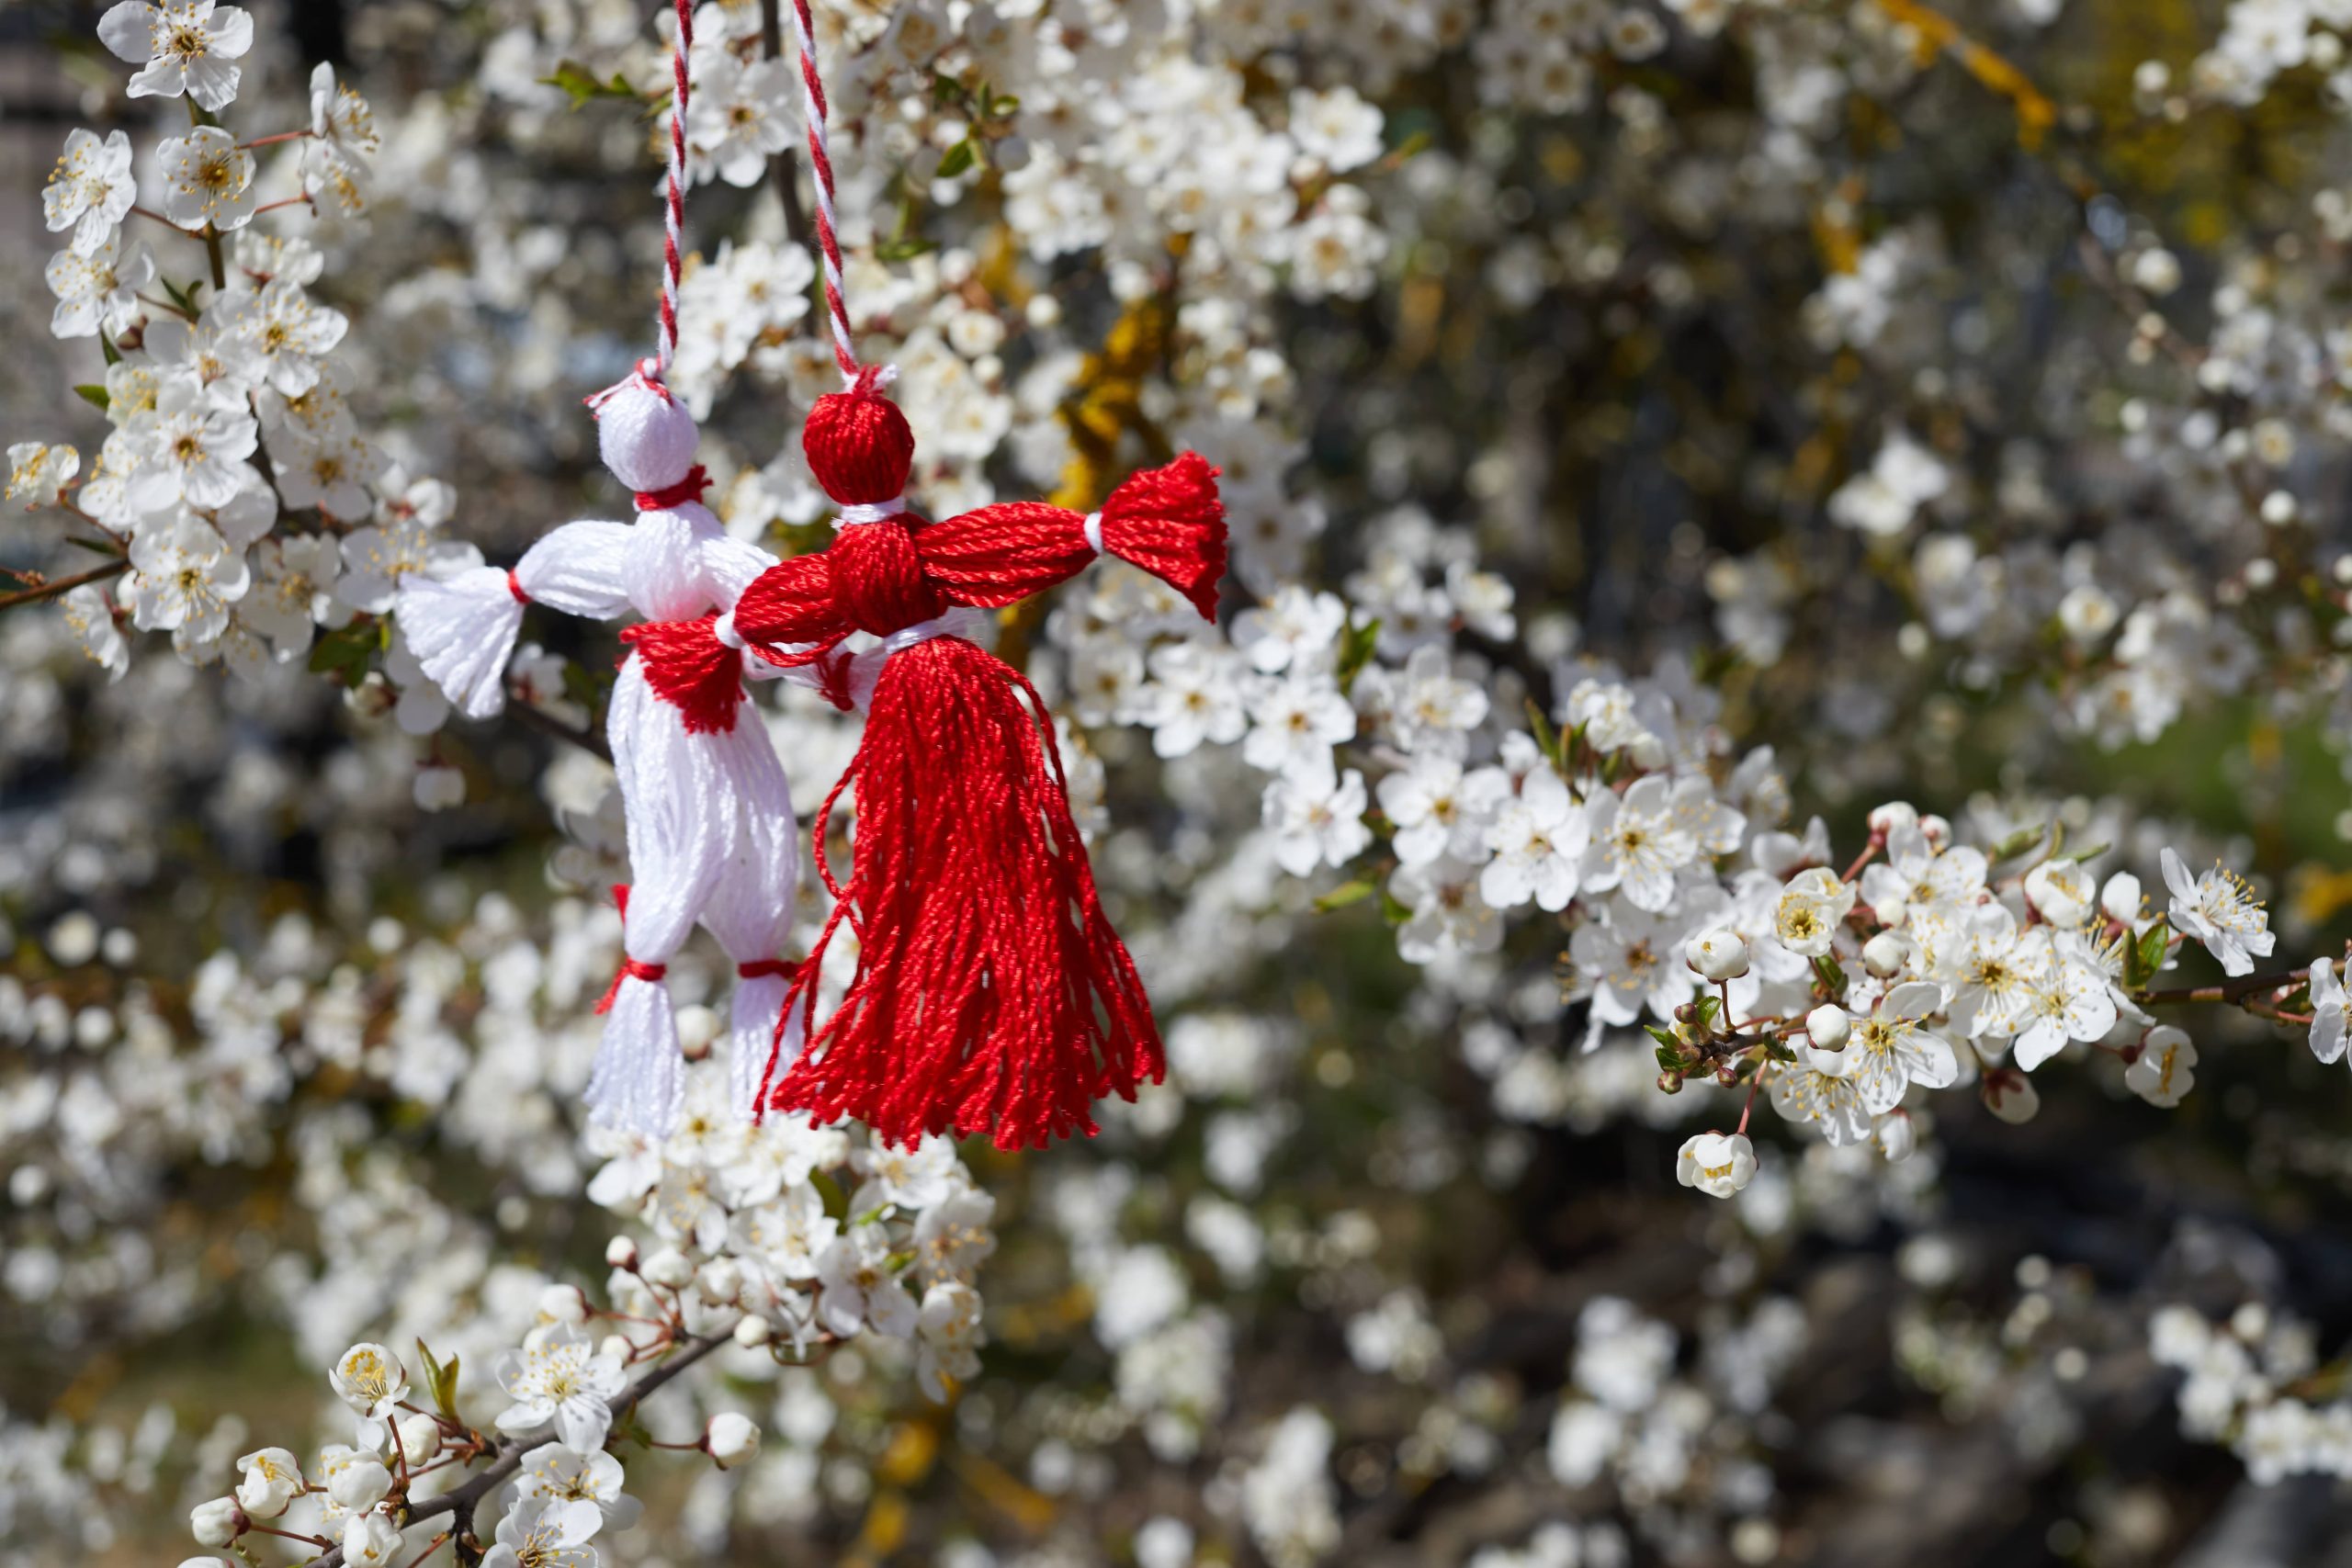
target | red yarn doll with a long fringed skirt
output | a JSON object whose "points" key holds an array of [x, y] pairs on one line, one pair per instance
{"points": [[991, 993]]}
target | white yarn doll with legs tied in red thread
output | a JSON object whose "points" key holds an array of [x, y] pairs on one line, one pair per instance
{"points": [[711, 831]]}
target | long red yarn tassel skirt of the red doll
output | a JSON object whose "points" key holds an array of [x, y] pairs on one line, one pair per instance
{"points": [[991, 993]]}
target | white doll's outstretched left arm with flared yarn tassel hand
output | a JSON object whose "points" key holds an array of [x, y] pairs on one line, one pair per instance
{"points": [[465, 629]]}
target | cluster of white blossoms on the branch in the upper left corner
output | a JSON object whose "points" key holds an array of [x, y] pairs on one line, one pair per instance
{"points": [[236, 476]]}
